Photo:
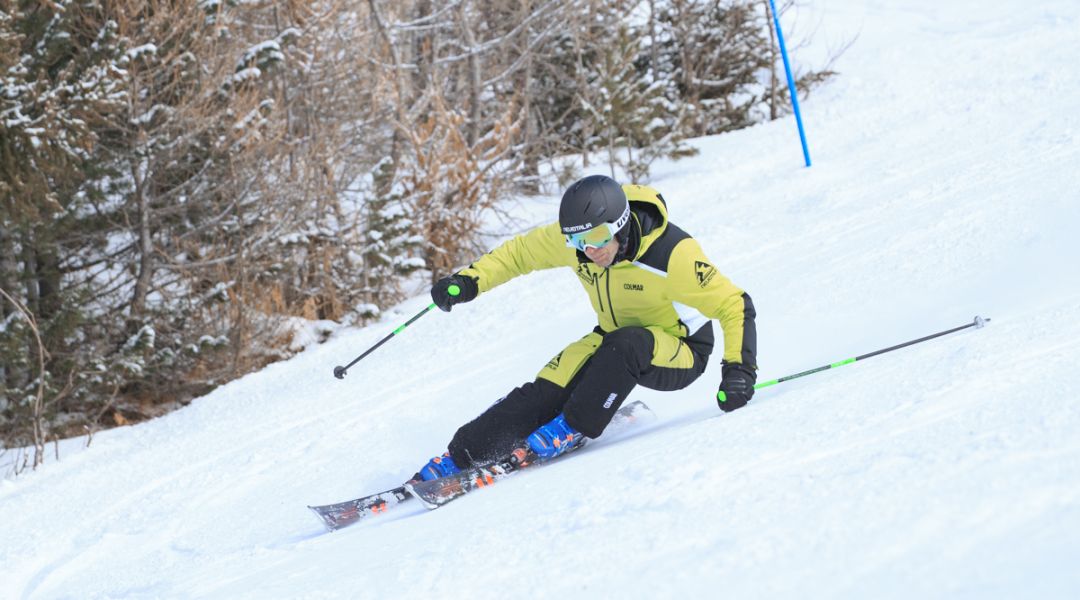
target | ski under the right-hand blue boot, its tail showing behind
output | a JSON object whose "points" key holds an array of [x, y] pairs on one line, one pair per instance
{"points": [[439, 493]]}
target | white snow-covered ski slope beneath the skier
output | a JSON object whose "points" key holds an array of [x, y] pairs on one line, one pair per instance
{"points": [[946, 185]]}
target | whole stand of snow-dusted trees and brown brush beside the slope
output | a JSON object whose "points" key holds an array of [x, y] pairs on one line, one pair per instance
{"points": [[184, 183]]}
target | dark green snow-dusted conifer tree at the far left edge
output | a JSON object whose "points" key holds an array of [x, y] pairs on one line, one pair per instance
{"points": [[59, 81]]}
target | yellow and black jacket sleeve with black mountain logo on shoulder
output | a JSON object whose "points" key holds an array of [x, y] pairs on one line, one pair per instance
{"points": [[697, 283]]}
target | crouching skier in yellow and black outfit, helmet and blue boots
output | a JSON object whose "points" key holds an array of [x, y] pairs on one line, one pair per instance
{"points": [[655, 294]]}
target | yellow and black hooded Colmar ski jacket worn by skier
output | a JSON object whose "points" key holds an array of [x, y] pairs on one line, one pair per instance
{"points": [[666, 281]]}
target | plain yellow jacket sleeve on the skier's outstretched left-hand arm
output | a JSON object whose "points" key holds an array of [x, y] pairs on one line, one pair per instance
{"points": [[543, 248]]}
